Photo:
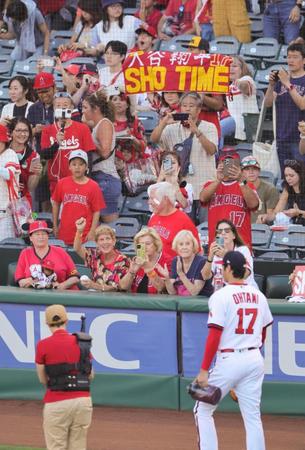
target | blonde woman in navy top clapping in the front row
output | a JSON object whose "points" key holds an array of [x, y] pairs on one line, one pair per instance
{"points": [[185, 278]]}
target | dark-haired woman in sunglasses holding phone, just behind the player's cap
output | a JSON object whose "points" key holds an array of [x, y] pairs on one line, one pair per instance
{"points": [[226, 239]]}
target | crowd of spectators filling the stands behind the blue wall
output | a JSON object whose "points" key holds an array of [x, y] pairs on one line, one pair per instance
{"points": [[72, 140]]}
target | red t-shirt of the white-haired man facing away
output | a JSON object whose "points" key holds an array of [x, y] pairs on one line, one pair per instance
{"points": [[168, 226]]}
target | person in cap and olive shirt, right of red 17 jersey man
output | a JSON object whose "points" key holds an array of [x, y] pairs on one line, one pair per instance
{"points": [[267, 192]]}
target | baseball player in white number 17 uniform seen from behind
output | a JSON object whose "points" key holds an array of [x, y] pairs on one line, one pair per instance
{"points": [[238, 317]]}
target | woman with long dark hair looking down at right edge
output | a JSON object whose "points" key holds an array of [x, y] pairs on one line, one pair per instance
{"points": [[292, 199]]}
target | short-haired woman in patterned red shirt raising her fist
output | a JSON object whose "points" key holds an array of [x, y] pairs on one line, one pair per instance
{"points": [[108, 266]]}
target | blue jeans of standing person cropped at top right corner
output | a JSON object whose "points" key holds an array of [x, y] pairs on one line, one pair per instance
{"points": [[275, 20]]}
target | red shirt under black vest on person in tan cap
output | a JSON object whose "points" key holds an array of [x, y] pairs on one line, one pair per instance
{"points": [[61, 347]]}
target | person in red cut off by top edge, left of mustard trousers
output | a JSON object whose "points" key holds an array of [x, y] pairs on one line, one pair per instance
{"points": [[177, 19]]}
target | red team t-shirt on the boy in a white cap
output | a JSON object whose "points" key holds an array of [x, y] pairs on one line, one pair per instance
{"points": [[77, 200]]}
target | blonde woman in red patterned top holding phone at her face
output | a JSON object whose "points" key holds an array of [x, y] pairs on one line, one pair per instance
{"points": [[143, 275]]}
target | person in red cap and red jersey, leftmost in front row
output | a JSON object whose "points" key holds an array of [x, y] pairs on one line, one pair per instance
{"points": [[43, 265]]}
